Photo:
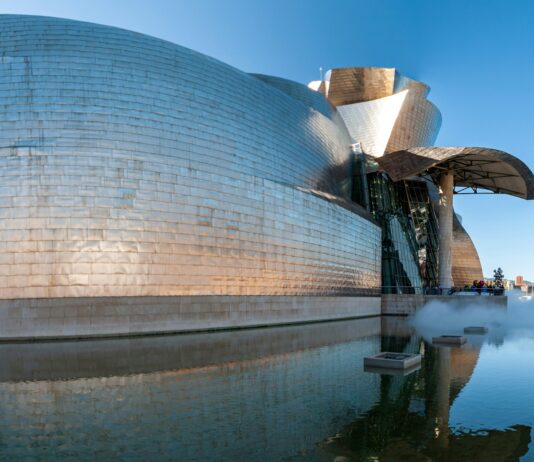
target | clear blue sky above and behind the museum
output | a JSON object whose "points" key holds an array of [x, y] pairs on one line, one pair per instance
{"points": [[477, 55]]}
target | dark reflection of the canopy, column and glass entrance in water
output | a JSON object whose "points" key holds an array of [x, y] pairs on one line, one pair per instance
{"points": [[411, 419]]}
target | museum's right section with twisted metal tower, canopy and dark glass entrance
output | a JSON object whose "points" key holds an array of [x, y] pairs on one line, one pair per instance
{"points": [[389, 117]]}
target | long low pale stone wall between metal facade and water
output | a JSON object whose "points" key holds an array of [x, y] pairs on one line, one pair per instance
{"points": [[96, 317]]}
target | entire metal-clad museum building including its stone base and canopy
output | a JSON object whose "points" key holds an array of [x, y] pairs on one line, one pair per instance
{"points": [[146, 187]]}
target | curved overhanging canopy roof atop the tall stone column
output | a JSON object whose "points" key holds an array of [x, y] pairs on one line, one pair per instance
{"points": [[473, 167]]}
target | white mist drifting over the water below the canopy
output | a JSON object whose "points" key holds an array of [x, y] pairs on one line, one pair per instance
{"points": [[450, 318]]}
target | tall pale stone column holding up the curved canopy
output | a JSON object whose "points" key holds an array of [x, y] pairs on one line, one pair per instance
{"points": [[445, 216]]}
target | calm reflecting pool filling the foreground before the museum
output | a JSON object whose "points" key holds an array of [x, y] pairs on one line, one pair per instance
{"points": [[286, 393]]}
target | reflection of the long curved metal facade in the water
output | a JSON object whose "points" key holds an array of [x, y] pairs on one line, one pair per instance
{"points": [[218, 396]]}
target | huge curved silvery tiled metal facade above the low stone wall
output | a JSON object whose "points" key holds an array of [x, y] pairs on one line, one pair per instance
{"points": [[132, 166]]}
